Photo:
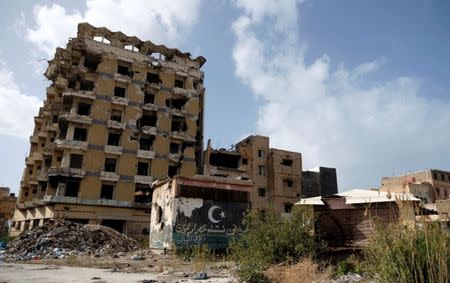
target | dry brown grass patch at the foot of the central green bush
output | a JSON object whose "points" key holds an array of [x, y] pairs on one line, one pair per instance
{"points": [[304, 271]]}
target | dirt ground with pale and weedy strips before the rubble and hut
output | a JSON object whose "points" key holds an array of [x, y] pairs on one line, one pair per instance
{"points": [[119, 268]]}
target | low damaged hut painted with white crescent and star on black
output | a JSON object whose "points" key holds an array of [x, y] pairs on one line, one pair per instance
{"points": [[197, 210]]}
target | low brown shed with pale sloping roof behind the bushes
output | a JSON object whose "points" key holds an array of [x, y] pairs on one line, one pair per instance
{"points": [[348, 218]]}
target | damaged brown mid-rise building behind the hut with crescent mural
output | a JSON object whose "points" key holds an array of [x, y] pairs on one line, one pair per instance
{"points": [[276, 174]]}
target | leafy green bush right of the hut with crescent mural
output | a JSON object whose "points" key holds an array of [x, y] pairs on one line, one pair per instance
{"points": [[270, 239]]}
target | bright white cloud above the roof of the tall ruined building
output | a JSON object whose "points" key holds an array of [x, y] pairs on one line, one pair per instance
{"points": [[160, 21]]}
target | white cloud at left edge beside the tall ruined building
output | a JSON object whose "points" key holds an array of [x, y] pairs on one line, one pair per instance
{"points": [[16, 109]]}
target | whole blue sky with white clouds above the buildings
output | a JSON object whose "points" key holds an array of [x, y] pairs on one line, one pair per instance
{"points": [[362, 86]]}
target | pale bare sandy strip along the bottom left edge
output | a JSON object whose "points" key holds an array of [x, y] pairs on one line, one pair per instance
{"points": [[15, 272]]}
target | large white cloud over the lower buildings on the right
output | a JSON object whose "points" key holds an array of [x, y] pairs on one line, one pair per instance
{"points": [[335, 116]]}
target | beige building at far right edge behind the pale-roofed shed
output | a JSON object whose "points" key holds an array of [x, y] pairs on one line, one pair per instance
{"points": [[428, 185]]}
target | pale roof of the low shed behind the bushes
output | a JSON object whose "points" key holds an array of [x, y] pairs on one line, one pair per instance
{"points": [[361, 196]]}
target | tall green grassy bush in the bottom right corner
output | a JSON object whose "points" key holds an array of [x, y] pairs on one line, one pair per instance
{"points": [[400, 254]]}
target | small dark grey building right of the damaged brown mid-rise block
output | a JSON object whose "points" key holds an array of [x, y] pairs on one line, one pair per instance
{"points": [[320, 181]]}
